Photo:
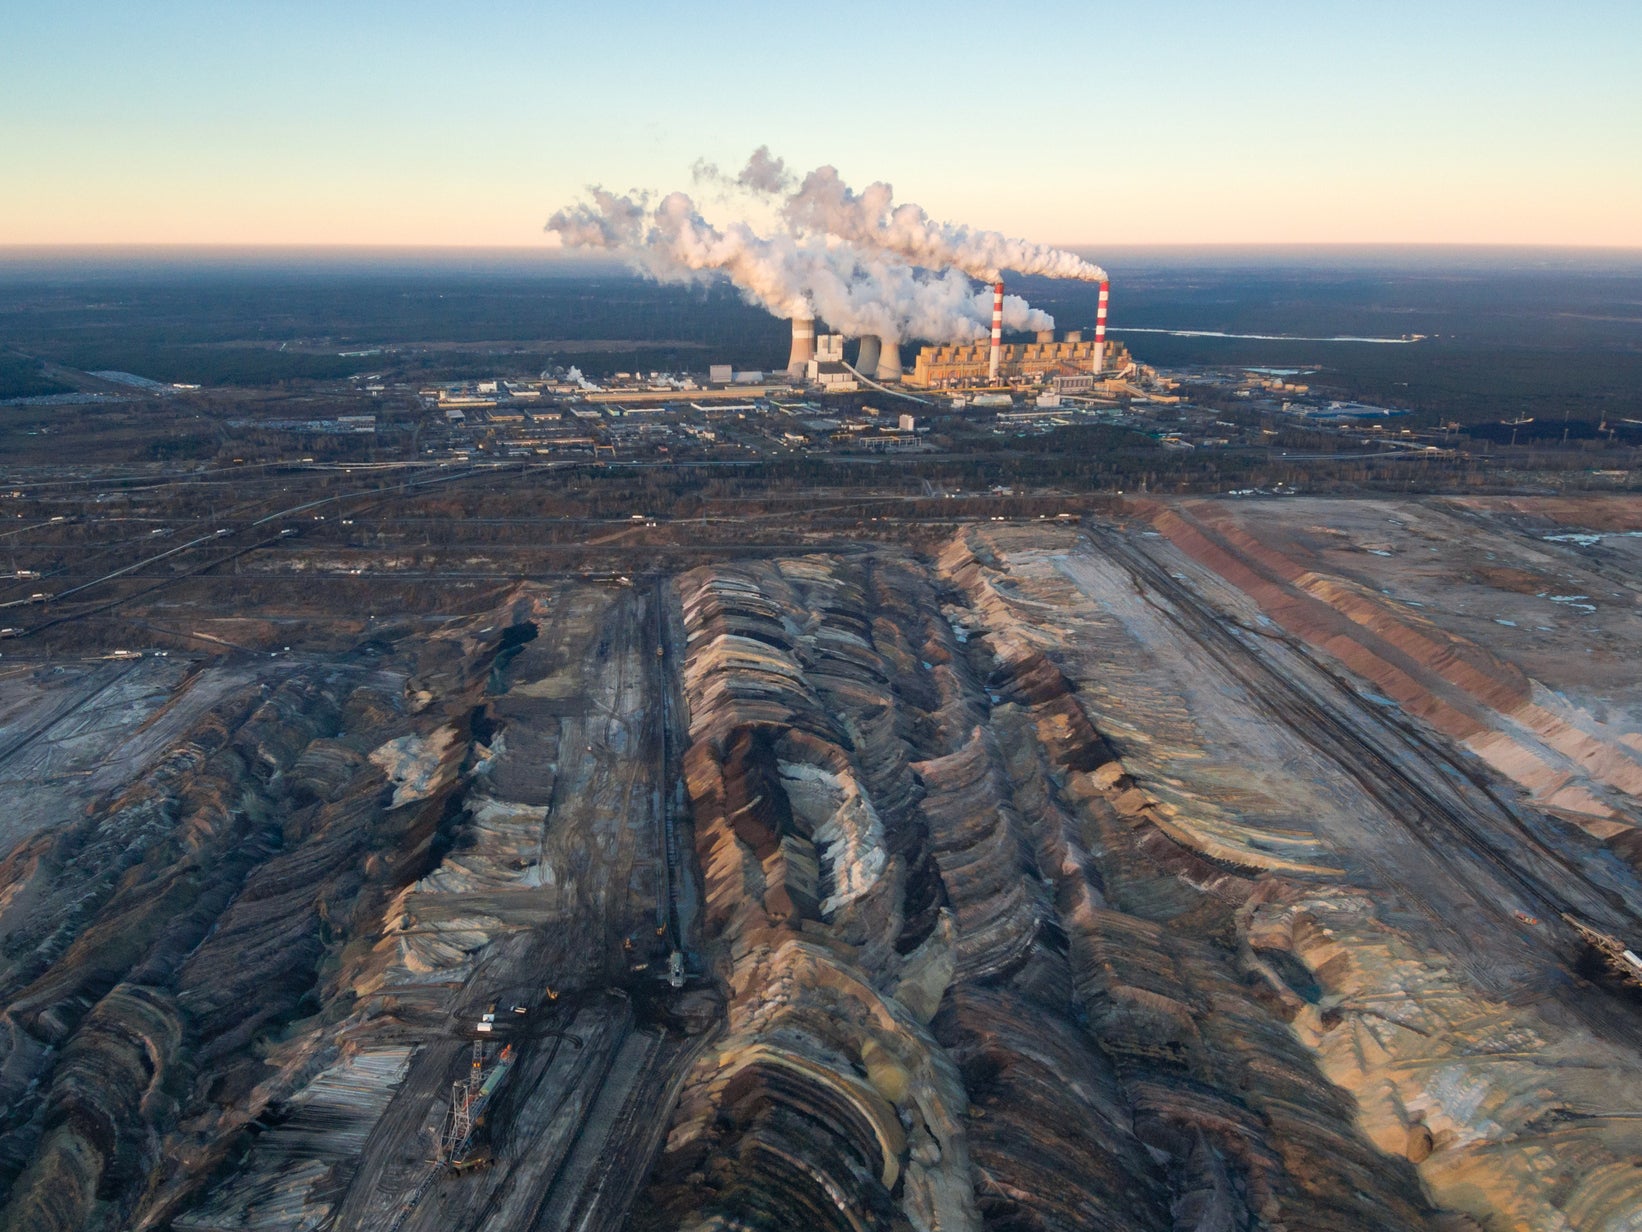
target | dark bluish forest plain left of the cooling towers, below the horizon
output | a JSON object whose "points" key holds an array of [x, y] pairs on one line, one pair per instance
{"points": [[226, 331]]}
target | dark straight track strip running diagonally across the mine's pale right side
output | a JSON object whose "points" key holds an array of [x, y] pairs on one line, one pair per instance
{"points": [[1465, 853]]}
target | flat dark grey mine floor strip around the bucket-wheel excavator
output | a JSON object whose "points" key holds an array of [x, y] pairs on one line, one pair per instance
{"points": [[576, 1129]]}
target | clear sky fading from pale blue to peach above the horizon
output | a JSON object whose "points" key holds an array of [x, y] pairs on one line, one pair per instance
{"points": [[1163, 122]]}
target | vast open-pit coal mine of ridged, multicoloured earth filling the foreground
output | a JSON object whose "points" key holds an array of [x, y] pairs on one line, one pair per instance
{"points": [[1188, 867]]}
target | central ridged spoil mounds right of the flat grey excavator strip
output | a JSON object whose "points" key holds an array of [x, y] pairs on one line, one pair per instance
{"points": [[912, 840]]}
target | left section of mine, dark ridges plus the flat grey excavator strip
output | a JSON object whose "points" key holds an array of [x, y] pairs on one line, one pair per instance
{"points": [[239, 986]]}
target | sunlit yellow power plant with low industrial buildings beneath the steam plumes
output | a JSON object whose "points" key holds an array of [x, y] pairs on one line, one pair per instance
{"points": [[1032, 384]]}
